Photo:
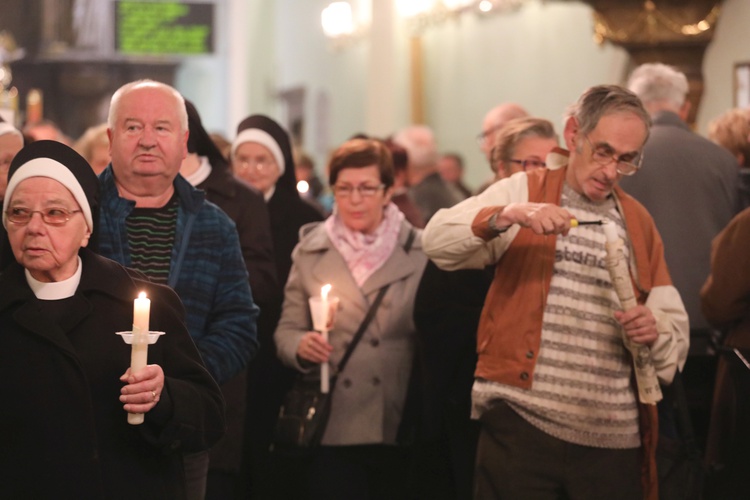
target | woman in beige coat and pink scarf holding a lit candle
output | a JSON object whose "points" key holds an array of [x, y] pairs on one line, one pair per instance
{"points": [[357, 250]]}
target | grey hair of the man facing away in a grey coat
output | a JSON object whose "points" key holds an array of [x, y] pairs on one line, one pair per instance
{"points": [[656, 82]]}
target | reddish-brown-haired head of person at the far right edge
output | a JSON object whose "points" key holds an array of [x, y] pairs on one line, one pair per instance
{"points": [[731, 131]]}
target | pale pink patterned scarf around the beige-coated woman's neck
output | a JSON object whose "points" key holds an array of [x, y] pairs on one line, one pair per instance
{"points": [[365, 253]]}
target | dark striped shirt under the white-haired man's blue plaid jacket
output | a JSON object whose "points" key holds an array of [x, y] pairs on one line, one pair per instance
{"points": [[151, 237]]}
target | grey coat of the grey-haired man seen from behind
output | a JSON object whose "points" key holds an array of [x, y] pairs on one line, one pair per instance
{"points": [[686, 182]]}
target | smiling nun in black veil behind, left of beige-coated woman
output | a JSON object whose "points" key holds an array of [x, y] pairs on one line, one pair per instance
{"points": [[262, 156]]}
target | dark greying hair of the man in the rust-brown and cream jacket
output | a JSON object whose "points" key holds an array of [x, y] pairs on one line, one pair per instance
{"points": [[602, 100]]}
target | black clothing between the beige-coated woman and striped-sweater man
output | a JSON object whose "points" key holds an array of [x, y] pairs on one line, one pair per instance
{"points": [[447, 308]]}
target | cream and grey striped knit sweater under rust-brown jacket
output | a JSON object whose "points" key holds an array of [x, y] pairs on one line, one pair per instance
{"points": [[581, 391]]}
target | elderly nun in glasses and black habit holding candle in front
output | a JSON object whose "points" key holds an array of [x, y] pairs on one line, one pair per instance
{"points": [[66, 381]]}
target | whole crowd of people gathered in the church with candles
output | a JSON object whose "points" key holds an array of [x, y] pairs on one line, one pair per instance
{"points": [[496, 358]]}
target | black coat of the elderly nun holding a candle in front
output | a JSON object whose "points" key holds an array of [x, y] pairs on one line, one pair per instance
{"points": [[65, 433]]}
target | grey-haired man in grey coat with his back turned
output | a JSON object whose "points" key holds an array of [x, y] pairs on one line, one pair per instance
{"points": [[686, 181]]}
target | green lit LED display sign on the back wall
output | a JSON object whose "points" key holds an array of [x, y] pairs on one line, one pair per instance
{"points": [[163, 28]]}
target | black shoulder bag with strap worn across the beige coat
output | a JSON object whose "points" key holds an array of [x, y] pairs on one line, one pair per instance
{"points": [[304, 414]]}
